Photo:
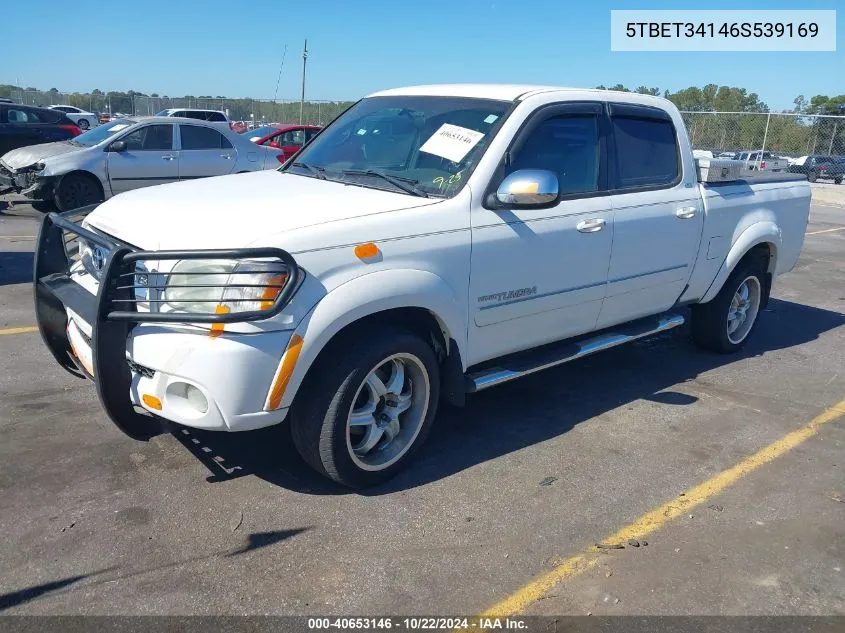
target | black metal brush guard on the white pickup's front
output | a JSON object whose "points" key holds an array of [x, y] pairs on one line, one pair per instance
{"points": [[112, 313]]}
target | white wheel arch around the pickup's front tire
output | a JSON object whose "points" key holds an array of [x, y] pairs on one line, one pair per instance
{"points": [[418, 300]]}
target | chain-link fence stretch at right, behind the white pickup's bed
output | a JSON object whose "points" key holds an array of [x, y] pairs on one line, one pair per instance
{"points": [[789, 135]]}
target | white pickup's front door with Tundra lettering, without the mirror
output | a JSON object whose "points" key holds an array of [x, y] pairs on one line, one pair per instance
{"points": [[539, 274]]}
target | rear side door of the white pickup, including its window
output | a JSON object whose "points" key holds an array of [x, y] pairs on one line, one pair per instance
{"points": [[657, 215]]}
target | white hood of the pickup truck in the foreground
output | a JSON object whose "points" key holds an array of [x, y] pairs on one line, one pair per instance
{"points": [[236, 211]]}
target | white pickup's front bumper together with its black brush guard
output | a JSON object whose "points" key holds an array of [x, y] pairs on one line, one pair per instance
{"points": [[137, 362]]}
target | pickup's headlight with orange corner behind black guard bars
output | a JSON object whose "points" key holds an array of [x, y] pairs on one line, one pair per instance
{"points": [[223, 286]]}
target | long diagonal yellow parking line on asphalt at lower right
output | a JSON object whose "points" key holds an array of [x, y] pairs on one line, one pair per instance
{"points": [[522, 598]]}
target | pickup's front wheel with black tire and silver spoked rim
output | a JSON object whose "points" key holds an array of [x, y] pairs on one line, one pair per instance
{"points": [[367, 407]]}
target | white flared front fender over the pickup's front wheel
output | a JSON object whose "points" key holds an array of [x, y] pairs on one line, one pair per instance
{"points": [[368, 295]]}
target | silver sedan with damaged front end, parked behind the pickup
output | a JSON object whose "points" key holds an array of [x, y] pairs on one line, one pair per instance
{"points": [[130, 153]]}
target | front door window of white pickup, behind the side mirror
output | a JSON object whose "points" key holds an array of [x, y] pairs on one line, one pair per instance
{"points": [[567, 146]]}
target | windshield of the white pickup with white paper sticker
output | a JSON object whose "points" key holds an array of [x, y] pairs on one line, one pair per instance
{"points": [[428, 144]]}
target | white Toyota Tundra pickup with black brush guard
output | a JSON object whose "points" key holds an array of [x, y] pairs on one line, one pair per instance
{"points": [[430, 242]]}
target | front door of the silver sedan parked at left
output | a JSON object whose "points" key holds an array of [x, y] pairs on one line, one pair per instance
{"points": [[148, 159]]}
